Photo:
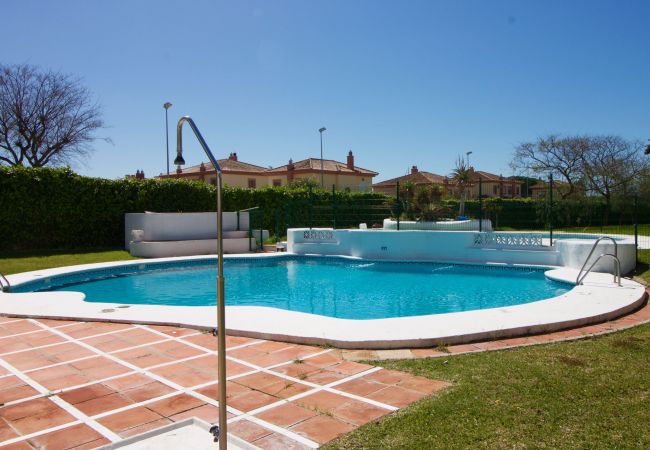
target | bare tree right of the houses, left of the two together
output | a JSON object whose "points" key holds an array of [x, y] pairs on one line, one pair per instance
{"points": [[561, 156]]}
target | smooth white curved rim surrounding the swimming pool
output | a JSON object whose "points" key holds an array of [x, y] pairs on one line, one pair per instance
{"points": [[597, 300]]}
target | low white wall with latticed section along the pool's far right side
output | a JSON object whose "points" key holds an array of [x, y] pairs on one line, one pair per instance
{"points": [[452, 246]]}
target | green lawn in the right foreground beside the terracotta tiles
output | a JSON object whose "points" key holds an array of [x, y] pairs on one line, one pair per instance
{"points": [[591, 393]]}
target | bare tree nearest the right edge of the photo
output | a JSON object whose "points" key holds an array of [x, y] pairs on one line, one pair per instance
{"points": [[613, 165]]}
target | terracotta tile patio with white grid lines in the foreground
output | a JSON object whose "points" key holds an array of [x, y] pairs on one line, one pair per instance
{"points": [[67, 384]]}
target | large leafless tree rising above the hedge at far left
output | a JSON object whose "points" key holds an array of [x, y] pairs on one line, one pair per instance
{"points": [[46, 118]]}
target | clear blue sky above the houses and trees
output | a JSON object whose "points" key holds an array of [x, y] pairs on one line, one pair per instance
{"points": [[399, 83]]}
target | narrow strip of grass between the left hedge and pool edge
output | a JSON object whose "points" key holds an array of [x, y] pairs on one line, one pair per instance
{"points": [[16, 262]]}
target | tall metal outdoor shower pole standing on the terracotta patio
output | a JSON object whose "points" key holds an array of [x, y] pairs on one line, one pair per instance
{"points": [[220, 432]]}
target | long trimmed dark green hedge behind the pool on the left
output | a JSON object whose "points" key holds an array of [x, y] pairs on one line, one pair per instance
{"points": [[56, 208]]}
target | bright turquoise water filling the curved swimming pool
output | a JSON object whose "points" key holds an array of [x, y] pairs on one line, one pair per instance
{"points": [[327, 286]]}
